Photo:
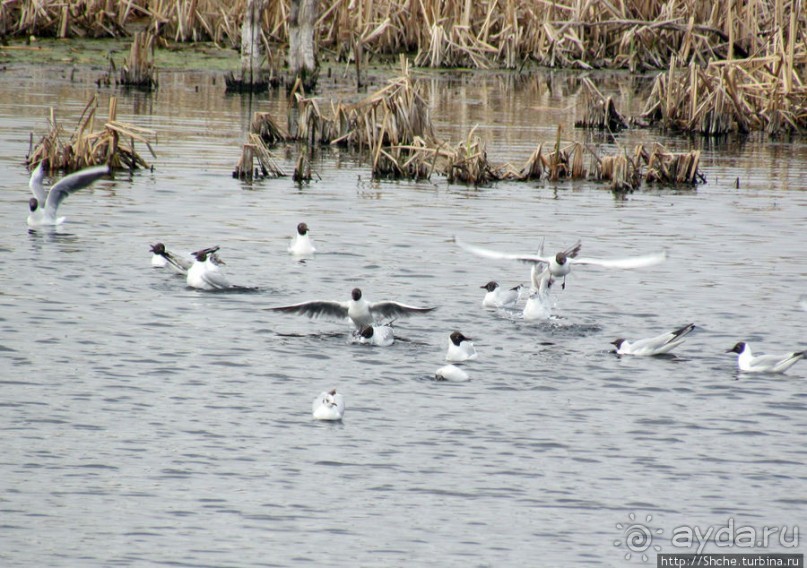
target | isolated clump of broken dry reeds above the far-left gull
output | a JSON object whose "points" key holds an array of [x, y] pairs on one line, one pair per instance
{"points": [[113, 144]]}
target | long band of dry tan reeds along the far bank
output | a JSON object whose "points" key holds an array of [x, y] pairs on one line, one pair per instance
{"points": [[627, 34]]}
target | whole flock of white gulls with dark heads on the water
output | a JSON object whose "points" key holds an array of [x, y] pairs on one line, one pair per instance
{"points": [[372, 320]]}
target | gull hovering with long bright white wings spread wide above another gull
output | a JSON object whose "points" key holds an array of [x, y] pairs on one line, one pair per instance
{"points": [[560, 265]]}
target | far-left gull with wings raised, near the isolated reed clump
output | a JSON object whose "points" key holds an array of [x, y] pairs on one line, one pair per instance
{"points": [[44, 205]]}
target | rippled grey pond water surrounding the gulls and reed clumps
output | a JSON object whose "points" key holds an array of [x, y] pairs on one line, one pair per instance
{"points": [[144, 423]]}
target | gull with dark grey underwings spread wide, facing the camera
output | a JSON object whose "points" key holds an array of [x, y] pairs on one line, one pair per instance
{"points": [[361, 312]]}
